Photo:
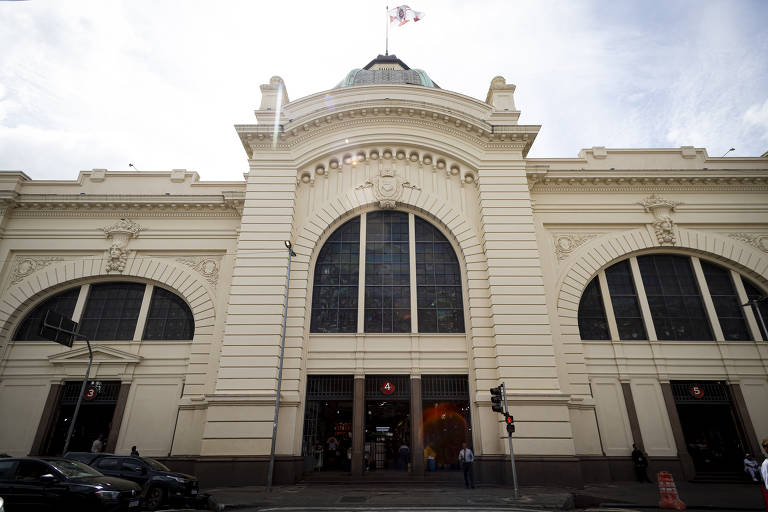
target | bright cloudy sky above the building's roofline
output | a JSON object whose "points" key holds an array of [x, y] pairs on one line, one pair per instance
{"points": [[160, 83]]}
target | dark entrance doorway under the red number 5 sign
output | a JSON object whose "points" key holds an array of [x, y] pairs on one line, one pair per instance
{"points": [[713, 435]]}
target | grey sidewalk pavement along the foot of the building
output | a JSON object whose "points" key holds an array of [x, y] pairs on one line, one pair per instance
{"points": [[622, 495]]}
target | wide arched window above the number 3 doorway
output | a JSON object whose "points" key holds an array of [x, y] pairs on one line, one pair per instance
{"points": [[111, 312]]}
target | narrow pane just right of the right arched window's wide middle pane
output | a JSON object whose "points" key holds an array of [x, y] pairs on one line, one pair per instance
{"points": [[727, 304]]}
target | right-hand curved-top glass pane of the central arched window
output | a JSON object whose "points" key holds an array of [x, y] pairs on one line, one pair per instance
{"points": [[438, 277]]}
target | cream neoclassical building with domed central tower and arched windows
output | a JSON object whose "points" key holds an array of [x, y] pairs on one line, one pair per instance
{"points": [[433, 261]]}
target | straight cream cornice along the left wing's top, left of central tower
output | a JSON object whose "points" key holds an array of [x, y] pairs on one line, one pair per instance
{"points": [[229, 204]]}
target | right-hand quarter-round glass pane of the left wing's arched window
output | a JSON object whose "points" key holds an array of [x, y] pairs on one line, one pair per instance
{"points": [[168, 318]]}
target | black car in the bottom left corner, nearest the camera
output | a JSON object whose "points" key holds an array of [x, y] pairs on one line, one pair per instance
{"points": [[50, 483]]}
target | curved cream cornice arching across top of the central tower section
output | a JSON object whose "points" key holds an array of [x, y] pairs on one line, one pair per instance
{"points": [[258, 138]]}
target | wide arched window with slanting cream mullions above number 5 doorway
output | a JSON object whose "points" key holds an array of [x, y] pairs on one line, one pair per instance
{"points": [[669, 297]]}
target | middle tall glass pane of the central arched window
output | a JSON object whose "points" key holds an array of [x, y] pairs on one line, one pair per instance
{"points": [[387, 280]]}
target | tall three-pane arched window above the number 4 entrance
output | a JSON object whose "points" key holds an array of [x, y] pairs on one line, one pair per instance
{"points": [[407, 268]]}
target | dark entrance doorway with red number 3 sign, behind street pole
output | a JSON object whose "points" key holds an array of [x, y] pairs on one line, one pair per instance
{"points": [[93, 420]]}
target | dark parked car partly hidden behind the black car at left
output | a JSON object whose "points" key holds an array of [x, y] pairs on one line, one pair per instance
{"points": [[160, 484]]}
